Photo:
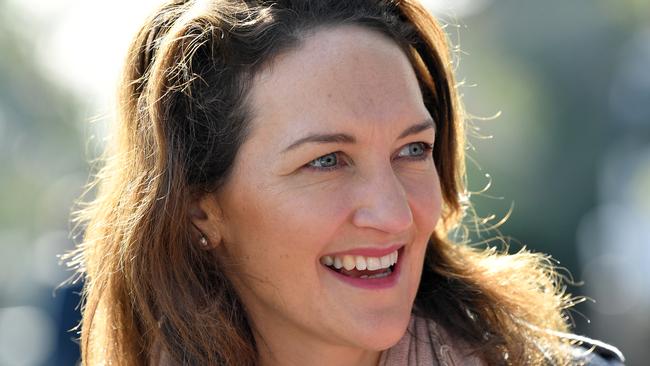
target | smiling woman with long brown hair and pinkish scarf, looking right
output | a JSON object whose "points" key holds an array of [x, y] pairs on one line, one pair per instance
{"points": [[279, 191]]}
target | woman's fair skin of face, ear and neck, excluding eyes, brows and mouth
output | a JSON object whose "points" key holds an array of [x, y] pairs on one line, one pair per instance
{"points": [[277, 216]]}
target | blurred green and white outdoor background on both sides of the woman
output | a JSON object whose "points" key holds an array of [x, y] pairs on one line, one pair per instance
{"points": [[568, 154]]}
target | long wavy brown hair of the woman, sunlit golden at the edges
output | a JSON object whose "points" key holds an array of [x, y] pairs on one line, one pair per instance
{"points": [[183, 115]]}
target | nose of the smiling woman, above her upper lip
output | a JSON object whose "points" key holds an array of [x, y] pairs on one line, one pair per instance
{"points": [[381, 203]]}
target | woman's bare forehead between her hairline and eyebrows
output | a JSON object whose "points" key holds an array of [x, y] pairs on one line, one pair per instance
{"points": [[343, 77]]}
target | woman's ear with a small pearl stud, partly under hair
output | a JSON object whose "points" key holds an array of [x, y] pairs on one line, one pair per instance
{"points": [[207, 219]]}
